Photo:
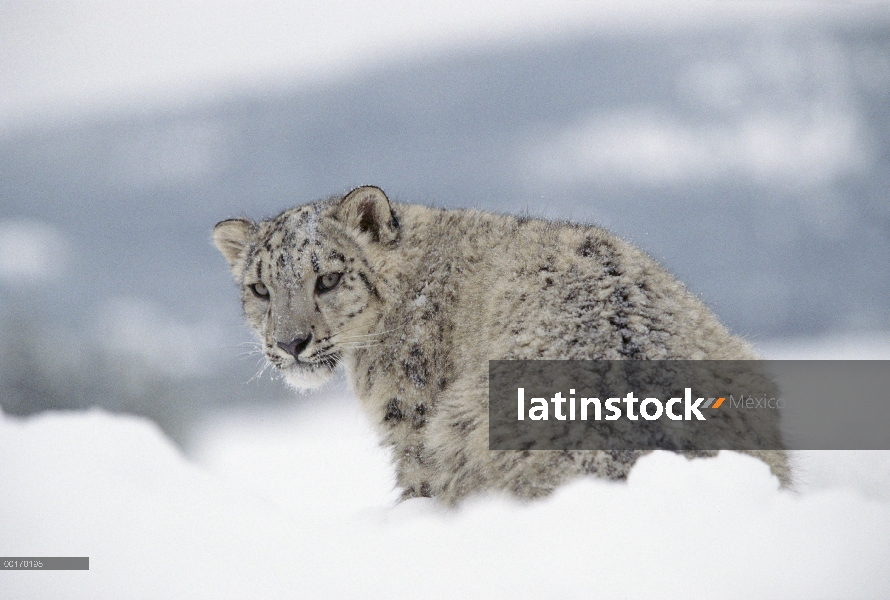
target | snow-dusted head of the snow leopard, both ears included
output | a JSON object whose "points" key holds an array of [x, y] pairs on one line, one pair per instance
{"points": [[310, 279]]}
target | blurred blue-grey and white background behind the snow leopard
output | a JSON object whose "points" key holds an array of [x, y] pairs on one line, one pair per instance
{"points": [[745, 145]]}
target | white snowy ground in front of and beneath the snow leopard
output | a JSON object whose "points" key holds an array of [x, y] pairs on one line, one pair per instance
{"points": [[299, 503]]}
